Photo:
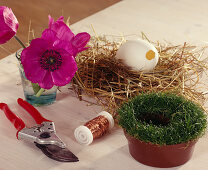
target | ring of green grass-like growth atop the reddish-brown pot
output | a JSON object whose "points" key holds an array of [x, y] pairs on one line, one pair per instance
{"points": [[162, 118]]}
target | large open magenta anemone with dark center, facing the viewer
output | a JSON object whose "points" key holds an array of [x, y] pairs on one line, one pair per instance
{"points": [[47, 62]]}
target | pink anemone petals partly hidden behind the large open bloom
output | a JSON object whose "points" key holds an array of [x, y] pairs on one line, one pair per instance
{"points": [[75, 44]]}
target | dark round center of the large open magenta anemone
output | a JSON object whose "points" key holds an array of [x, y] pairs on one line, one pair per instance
{"points": [[51, 60]]}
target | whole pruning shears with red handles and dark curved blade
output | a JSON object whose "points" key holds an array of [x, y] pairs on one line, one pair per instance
{"points": [[43, 134]]}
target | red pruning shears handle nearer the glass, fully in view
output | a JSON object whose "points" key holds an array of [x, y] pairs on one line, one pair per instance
{"points": [[32, 111]]}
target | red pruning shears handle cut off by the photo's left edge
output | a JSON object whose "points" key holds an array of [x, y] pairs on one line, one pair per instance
{"points": [[16, 121]]}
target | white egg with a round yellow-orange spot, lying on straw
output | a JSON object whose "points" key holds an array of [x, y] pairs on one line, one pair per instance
{"points": [[140, 55]]}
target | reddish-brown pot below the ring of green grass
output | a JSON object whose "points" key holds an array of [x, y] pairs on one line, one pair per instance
{"points": [[160, 156]]}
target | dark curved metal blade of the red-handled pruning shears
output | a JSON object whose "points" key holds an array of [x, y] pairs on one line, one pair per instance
{"points": [[57, 153]]}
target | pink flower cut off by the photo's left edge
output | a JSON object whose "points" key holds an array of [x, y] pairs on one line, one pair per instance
{"points": [[9, 24]]}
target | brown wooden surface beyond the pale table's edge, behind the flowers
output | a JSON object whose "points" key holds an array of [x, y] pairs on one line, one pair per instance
{"points": [[37, 11]]}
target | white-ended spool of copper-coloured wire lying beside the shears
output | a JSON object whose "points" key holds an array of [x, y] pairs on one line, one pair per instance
{"points": [[94, 128]]}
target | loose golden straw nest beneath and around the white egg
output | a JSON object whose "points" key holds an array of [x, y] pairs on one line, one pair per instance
{"points": [[101, 76]]}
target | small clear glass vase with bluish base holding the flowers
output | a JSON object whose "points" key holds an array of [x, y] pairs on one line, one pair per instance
{"points": [[30, 90]]}
